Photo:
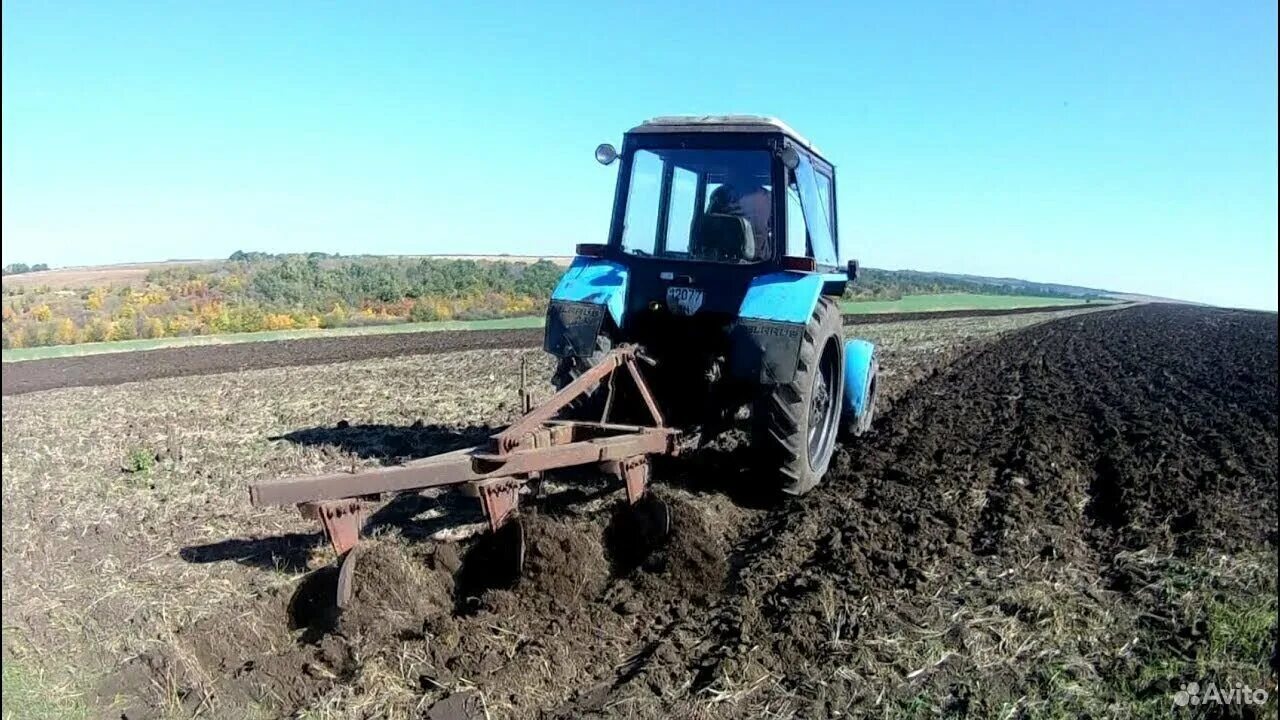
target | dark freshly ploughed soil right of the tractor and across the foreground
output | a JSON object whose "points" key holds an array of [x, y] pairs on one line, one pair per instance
{"points": [[1003, 539]]}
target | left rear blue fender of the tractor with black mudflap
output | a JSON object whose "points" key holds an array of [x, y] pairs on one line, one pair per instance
{"points": [[587, 293]]}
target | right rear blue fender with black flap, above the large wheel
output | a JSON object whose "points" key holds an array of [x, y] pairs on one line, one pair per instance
{"points": [[765, 340]]}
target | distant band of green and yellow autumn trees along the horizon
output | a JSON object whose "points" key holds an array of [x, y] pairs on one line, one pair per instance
{"points": [[258, 291]]}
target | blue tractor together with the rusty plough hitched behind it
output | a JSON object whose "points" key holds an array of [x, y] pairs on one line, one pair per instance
{"points": [[717, 294]]}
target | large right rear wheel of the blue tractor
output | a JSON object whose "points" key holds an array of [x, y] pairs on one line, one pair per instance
{"points": [[796, 425]]}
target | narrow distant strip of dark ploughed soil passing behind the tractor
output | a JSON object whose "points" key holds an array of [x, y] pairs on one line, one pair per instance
{"points": [[108, 370]]}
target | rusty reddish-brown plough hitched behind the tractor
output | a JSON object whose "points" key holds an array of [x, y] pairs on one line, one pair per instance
{"points": [[497, 472]]}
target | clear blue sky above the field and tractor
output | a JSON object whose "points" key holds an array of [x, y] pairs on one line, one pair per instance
{"points": [[1119, 145]]}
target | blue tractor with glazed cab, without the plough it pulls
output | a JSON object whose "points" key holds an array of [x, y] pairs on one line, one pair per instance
{"points": [[723, 266]]}
